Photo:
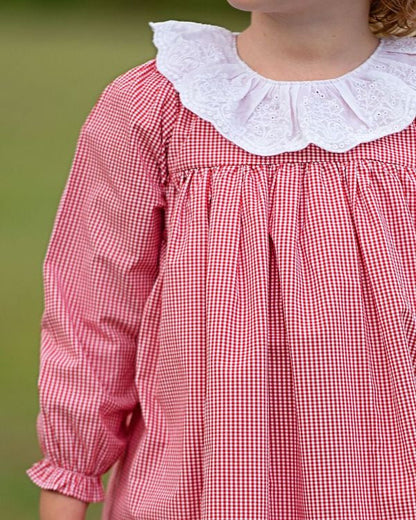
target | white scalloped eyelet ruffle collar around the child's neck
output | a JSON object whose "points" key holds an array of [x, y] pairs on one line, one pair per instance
{"points": [[267, 117]]}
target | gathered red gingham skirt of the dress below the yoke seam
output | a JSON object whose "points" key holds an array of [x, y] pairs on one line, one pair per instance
{"points": [[284, 317]]}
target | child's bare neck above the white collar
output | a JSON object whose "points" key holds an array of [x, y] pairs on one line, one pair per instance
{"points": [[280, 49]]}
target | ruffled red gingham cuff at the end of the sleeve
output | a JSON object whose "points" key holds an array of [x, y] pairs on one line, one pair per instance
{"points": [[45, 474]]}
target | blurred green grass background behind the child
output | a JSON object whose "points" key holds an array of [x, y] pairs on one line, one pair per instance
{"points": [[55, 62]]}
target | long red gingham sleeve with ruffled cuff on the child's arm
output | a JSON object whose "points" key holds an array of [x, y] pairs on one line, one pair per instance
{"points": [[100, 265]]}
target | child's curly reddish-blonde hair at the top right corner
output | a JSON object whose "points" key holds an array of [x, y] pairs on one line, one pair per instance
{"points": [[393, 17]]}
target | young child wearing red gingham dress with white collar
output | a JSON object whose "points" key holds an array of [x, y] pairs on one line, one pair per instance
{"points": [[230, 283]]}
